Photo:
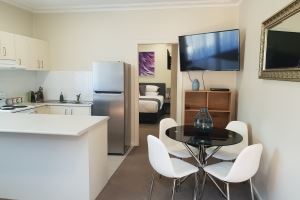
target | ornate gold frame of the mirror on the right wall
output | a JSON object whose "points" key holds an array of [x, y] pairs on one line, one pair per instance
{"points": [[292, 74]]}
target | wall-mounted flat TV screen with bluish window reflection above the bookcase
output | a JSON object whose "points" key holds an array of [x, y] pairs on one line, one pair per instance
{"points": [[215, 51]]}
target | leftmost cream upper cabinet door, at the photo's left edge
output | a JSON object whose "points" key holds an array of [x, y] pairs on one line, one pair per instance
{"points": [[7, 47]]}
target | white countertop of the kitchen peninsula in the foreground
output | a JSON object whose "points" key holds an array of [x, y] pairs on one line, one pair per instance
{"points": [[48, 124]]}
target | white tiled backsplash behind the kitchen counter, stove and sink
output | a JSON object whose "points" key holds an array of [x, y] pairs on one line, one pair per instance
{"points": [[70, 83]]}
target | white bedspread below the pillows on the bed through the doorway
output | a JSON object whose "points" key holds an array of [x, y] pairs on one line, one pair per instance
{"points": [[150, 106]]}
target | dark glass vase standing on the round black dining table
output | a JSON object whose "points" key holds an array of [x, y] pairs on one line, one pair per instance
{"points": [[203, 120]]}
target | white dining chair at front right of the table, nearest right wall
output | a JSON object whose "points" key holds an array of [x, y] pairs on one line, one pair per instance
{"points": [[243, 169]]}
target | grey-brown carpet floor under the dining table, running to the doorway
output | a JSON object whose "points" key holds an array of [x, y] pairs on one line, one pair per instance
{"points": [[132, 179]]}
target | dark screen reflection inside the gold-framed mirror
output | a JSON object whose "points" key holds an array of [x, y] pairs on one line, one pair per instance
{"points": [[283, 50]]}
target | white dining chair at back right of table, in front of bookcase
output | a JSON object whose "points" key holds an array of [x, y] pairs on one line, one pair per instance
{"points": [[228, 153]]}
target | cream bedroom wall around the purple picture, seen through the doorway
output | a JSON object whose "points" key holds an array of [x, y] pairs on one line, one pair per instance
{"points": [[161, 72]]}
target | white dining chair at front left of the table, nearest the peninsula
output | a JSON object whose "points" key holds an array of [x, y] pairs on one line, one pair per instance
{"points": [[169, 167]]}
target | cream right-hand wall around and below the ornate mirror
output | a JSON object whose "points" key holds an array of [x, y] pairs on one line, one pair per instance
{"points": [[271, 108]]}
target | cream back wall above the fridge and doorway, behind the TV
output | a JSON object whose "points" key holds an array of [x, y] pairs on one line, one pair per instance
{"points": [[77, 39]]}
